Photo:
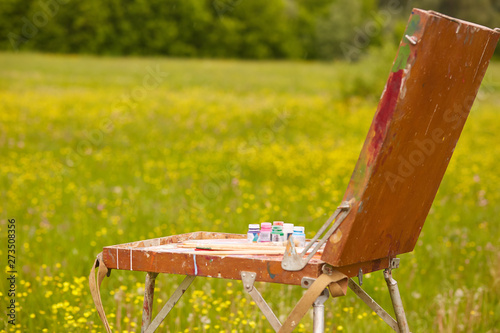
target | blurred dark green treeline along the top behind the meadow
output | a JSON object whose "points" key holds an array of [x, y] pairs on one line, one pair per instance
{"points": [[261, 29]]}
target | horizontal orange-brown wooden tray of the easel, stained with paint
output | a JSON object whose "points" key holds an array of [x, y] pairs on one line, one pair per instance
{"points": [[161, 255]]}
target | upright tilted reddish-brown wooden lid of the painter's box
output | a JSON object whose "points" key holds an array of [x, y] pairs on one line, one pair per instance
{"points": [[433, 83]]}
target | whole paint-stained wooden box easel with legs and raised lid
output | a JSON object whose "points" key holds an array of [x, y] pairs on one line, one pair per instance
{"points": [[432, 85]]}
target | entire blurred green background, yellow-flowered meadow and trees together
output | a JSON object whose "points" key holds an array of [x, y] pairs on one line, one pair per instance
{"points": [[95, 153]]}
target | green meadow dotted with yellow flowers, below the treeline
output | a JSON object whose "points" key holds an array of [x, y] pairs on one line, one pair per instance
{"points": [[102, 151]]}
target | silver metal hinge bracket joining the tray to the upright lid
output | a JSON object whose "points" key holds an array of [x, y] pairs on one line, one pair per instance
{"points": [[293, 261]]}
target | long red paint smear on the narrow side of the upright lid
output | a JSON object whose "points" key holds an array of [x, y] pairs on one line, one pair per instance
{"points": [[384, 114]]}
